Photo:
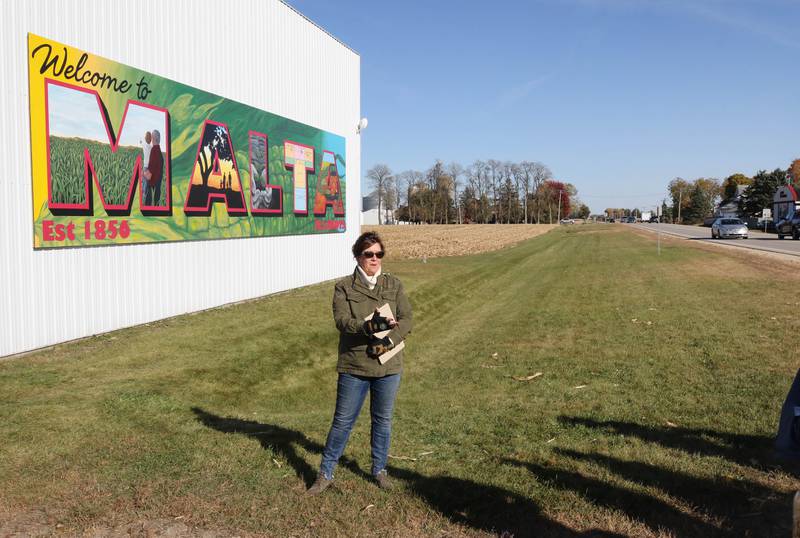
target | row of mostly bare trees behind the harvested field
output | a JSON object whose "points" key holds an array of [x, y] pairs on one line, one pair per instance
{"points": [[486, 191]]}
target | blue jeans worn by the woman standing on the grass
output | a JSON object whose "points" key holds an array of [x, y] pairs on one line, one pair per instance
{"points": [[350, 394]]}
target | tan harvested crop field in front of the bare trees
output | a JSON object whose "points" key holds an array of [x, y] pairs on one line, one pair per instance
{"points": [[438, 240]]}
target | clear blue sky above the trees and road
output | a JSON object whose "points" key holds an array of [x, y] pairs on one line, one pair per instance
{"points": [[617, 97]]}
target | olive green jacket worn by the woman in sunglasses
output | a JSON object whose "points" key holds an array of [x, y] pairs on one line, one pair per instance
{"points": [[352, 302]]}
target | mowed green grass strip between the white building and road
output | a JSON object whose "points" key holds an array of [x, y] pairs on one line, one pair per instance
{"points": [[662, 381]]}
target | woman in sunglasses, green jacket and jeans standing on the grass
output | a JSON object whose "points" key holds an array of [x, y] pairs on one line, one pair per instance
{"points": [[355, 297]]}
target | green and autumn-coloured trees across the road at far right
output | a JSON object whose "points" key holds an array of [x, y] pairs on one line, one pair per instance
{"points": [[692, 201]]}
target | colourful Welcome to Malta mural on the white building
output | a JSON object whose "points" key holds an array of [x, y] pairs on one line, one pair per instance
{"points": [[122, 156]]}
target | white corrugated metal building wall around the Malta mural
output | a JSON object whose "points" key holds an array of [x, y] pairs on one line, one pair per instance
{"points": [[57, 295]]}
